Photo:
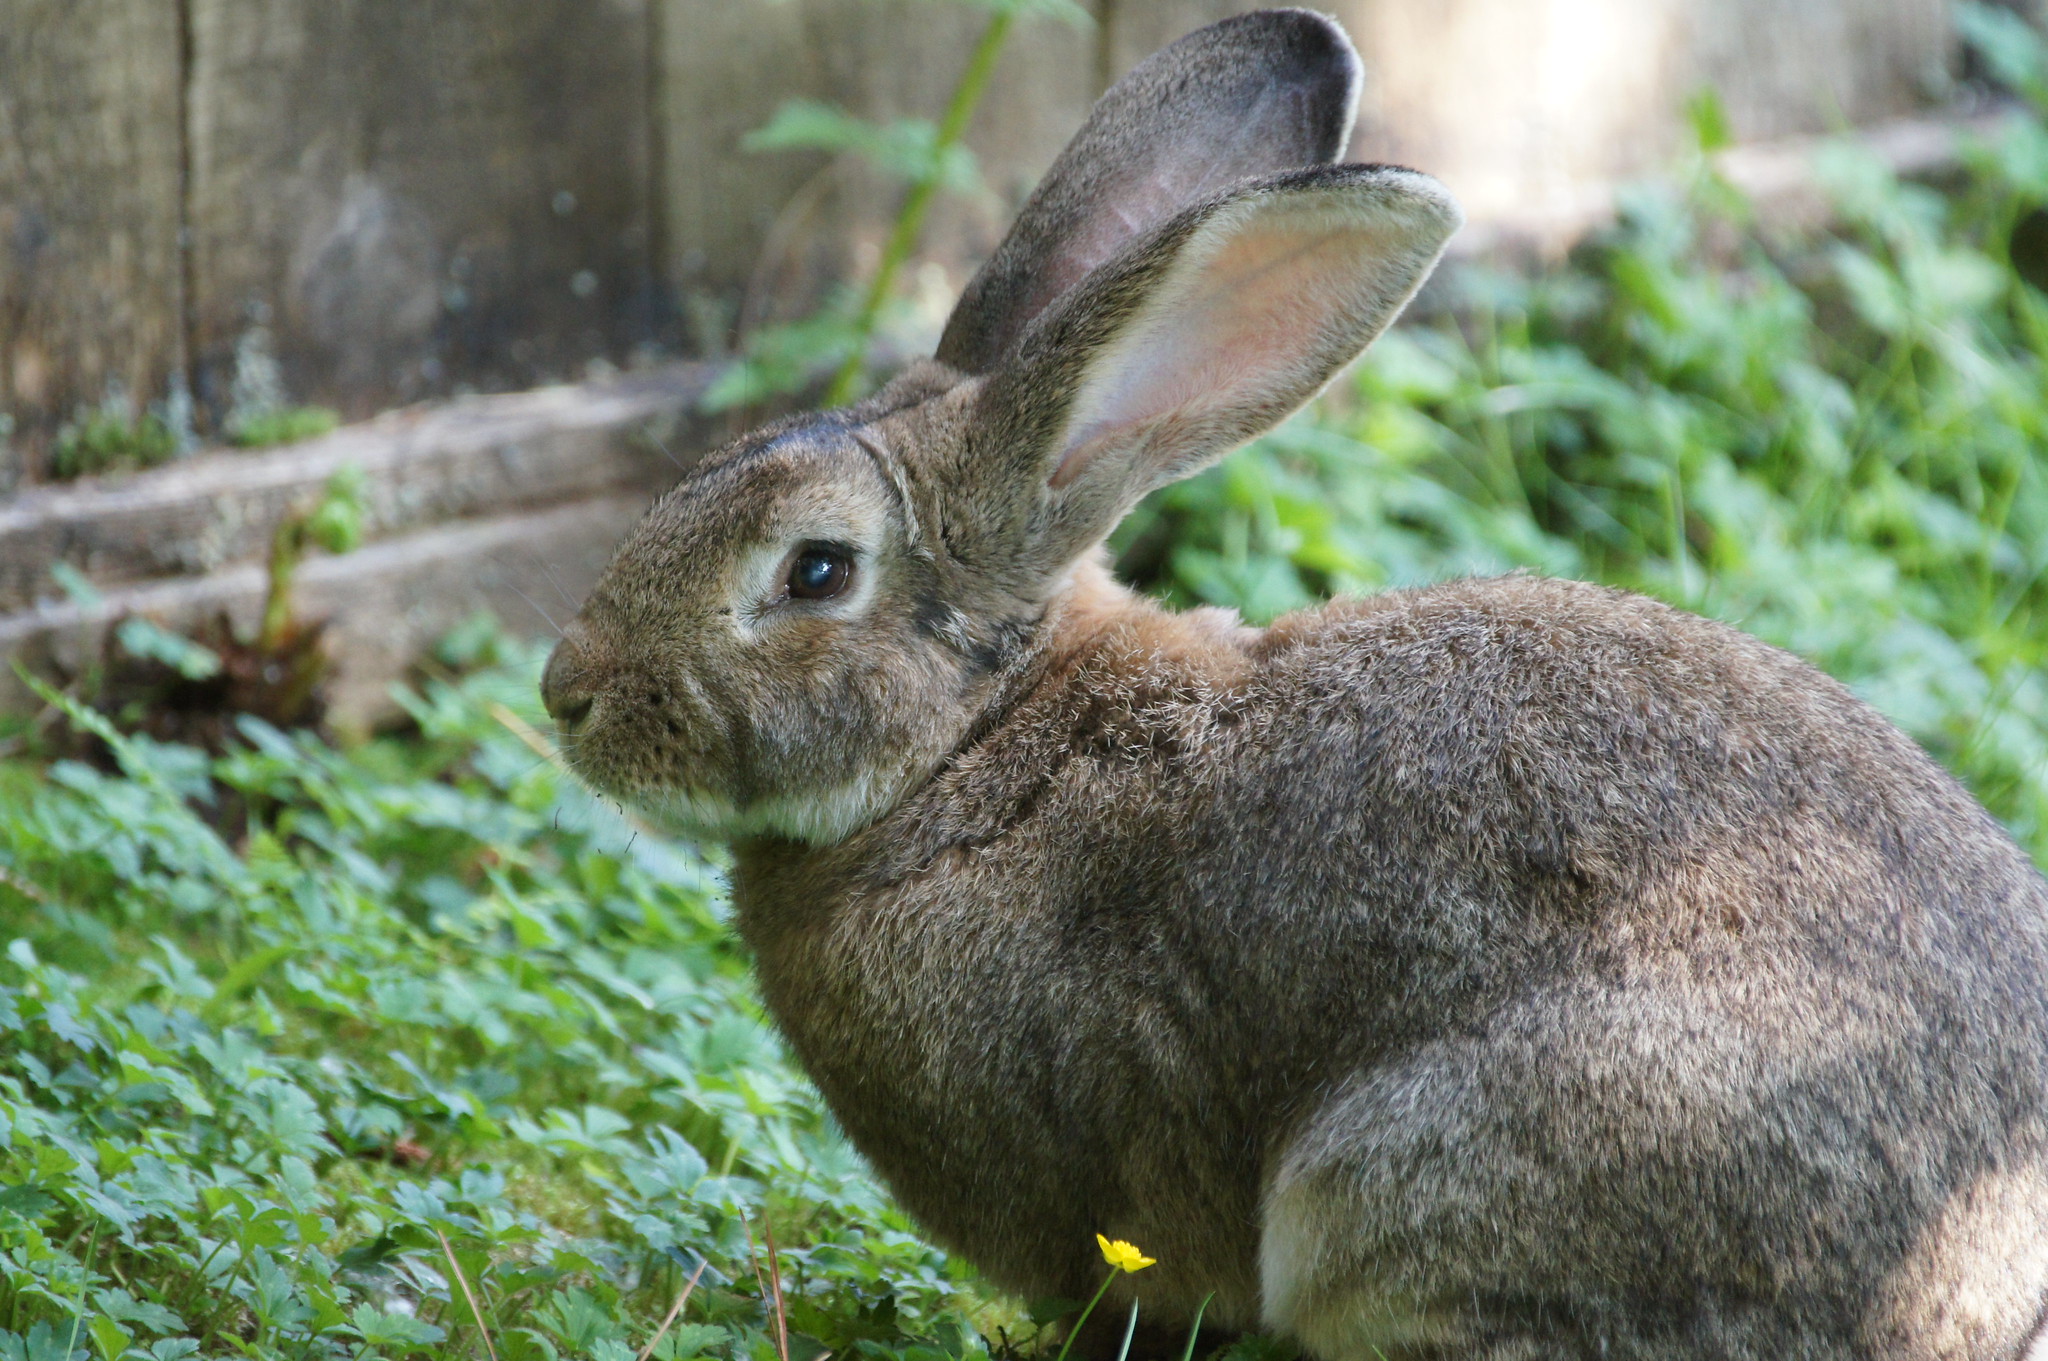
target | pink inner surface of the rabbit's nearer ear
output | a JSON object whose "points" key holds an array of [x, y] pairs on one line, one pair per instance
{"points": [[1232, 337]]}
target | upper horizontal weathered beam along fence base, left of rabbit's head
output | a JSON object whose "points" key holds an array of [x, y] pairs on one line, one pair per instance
{"points": [[470, 457]]}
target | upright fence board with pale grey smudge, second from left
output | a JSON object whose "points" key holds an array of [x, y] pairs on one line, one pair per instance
{"points": [[411, 200]]}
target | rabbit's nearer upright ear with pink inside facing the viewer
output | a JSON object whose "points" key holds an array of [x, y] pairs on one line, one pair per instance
{"points": [[1193, 341]]}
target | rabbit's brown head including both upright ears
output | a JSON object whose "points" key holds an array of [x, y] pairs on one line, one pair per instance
{"points": [[818, 615]]}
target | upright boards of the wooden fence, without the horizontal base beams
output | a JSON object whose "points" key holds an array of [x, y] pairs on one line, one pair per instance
{"points": [[394, 200]]}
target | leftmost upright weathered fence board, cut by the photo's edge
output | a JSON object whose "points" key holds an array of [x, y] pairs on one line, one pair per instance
{"points": [[89, 214]]}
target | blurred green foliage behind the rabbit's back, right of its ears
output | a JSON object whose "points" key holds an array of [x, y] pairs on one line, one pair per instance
{"points": [[1838, 445]]}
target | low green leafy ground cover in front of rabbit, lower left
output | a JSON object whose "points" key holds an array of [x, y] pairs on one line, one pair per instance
{"points": [[415, 1053]]}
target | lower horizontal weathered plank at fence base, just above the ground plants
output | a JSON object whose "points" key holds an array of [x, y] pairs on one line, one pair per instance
{"points": [[386, 603]]}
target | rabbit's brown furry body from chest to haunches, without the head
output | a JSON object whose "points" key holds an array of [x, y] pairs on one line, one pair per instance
{"points": [[1474, 955]]}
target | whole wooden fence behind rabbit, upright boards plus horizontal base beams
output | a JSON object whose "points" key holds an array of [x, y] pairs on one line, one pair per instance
{"points": [[364, 204]]}
